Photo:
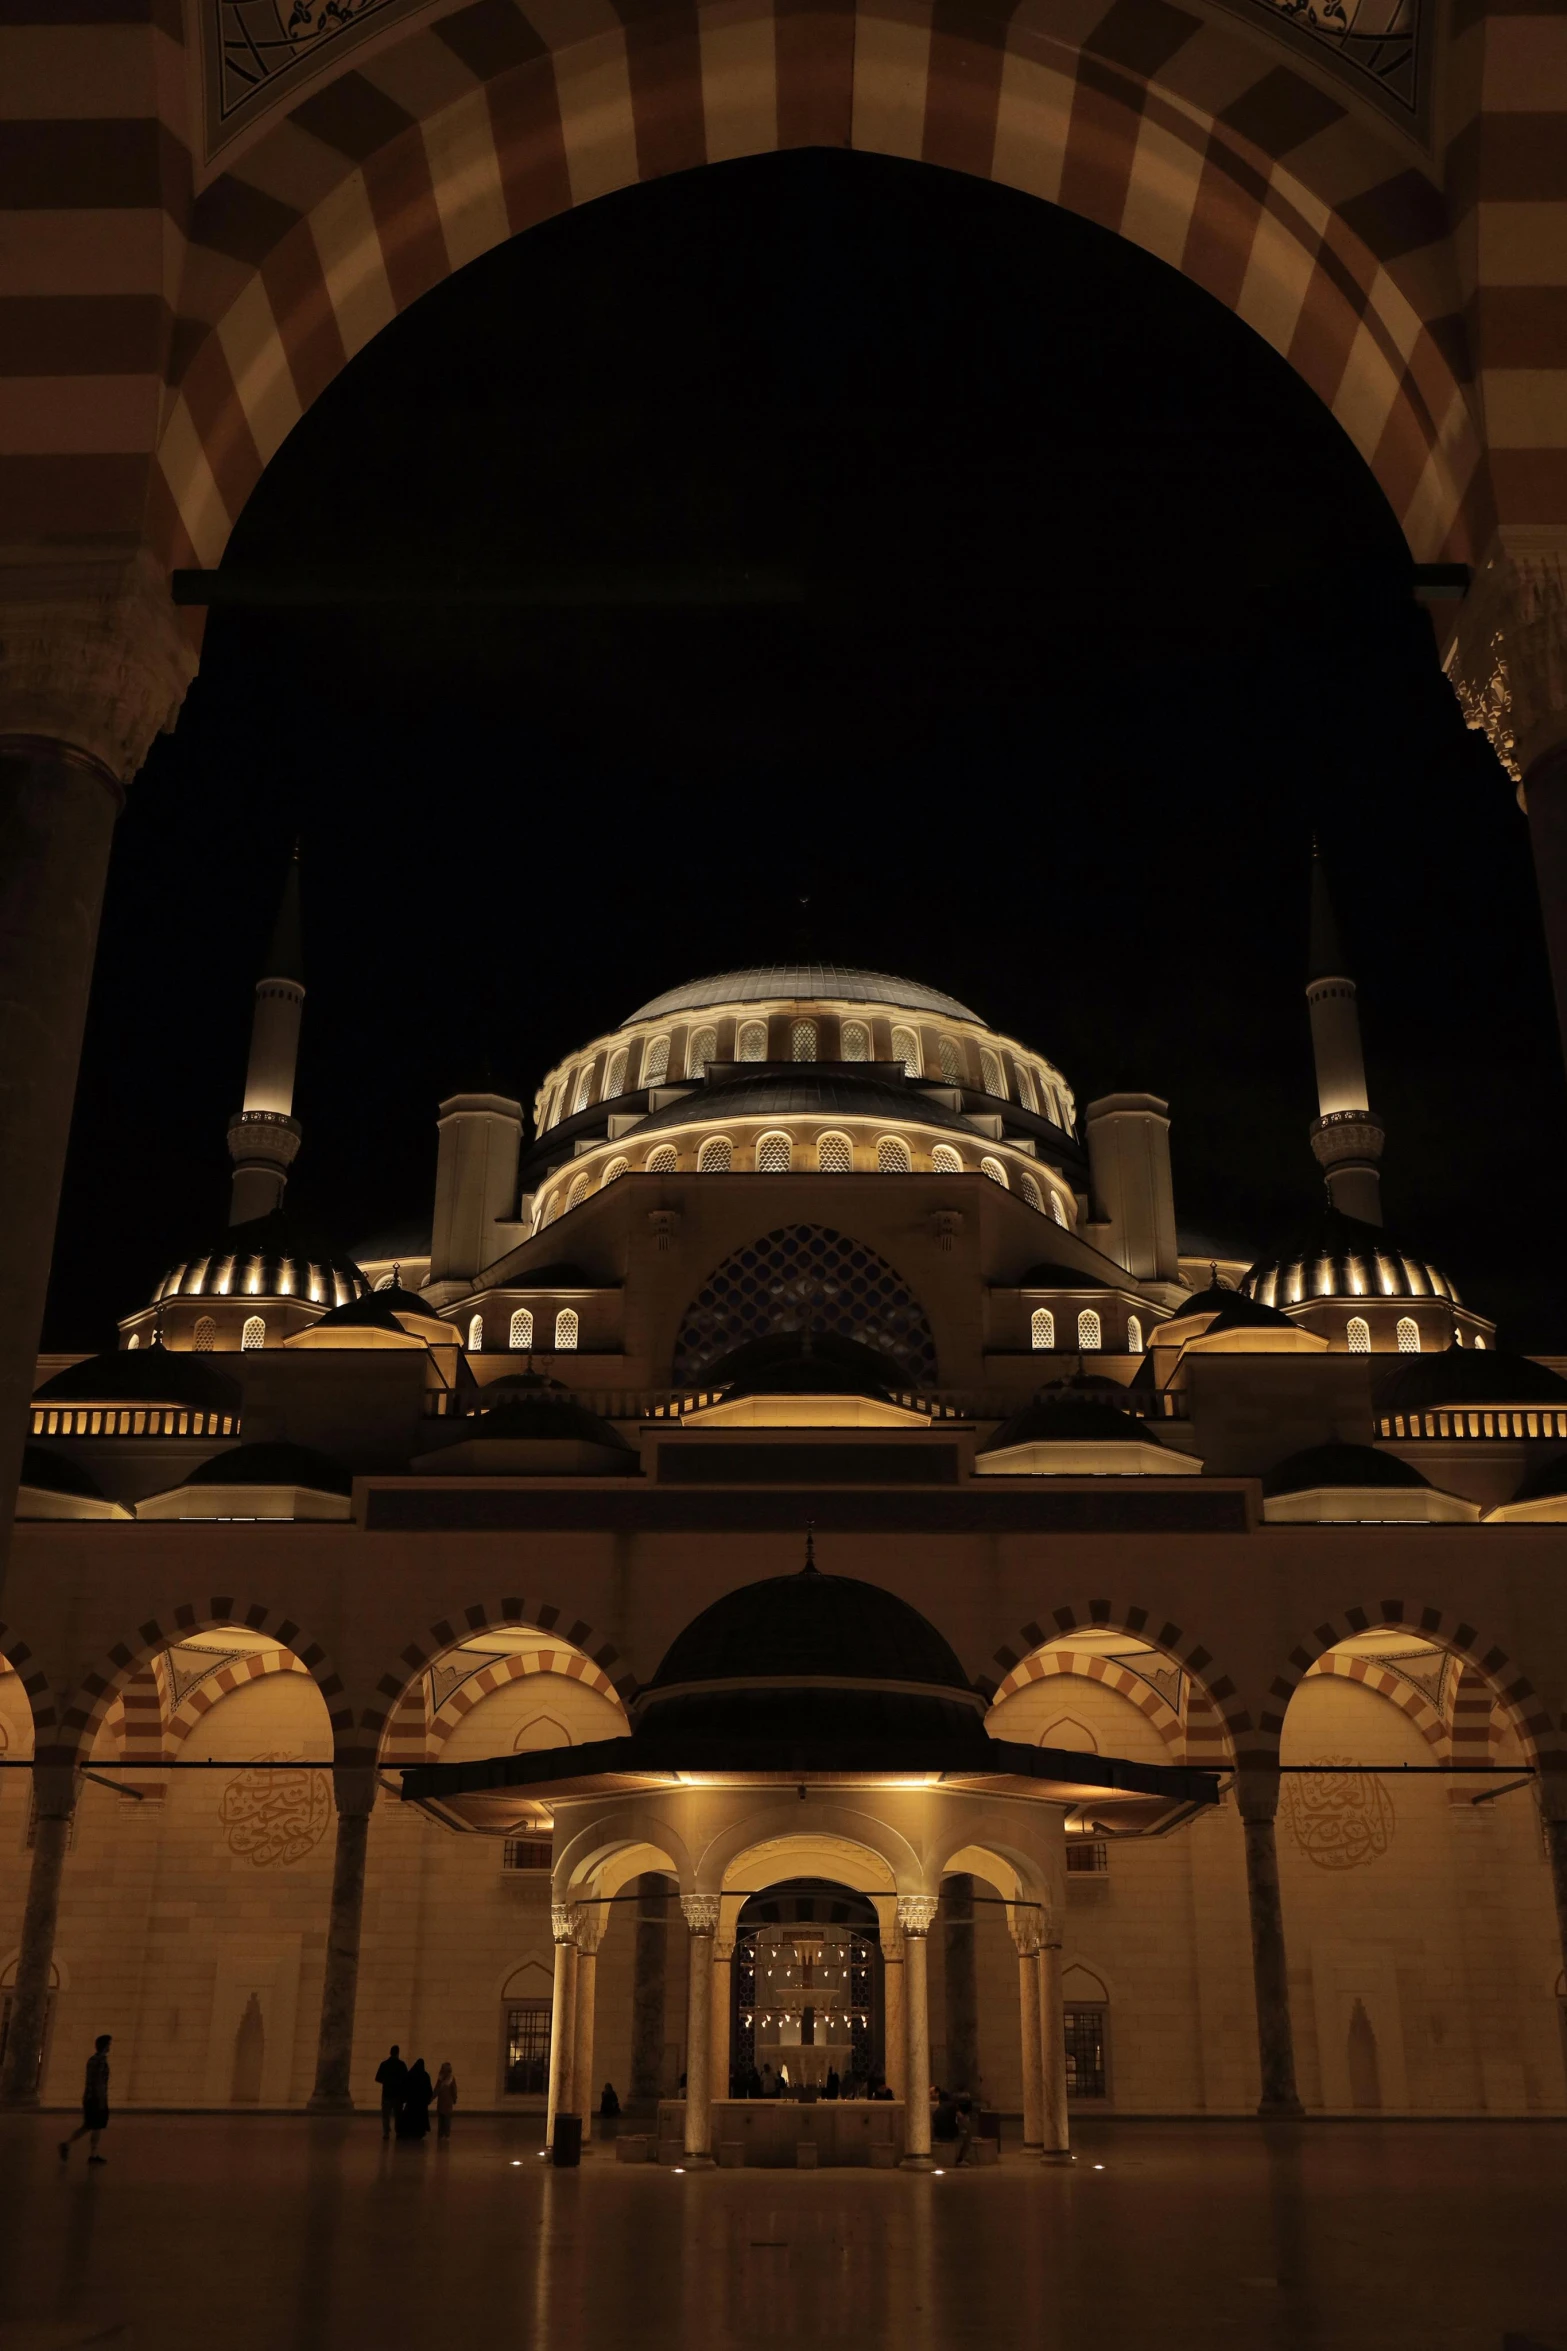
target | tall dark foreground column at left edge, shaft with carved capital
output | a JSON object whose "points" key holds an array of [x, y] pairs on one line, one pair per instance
{"points": [[93, 664]]}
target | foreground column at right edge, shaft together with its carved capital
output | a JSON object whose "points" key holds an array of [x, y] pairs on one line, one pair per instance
{"points": [[1509, 671]]}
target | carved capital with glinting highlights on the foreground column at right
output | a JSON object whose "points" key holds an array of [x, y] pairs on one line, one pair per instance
{"points": [[1509, 650]]}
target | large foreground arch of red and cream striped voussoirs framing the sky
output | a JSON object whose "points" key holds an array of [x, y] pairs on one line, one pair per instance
{"points": [[1152, 121]]}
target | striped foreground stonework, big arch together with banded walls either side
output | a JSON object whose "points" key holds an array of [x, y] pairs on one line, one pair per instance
{"points": [[168, 323]]}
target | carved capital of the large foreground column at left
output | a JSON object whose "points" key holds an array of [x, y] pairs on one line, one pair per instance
{"points": [[93, 652]]}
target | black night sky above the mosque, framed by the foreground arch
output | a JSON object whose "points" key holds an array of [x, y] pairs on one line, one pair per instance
{"points": [[1110, 619]]}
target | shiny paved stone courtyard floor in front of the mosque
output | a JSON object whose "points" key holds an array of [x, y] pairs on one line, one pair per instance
{"points": [[276, 2235]]}
